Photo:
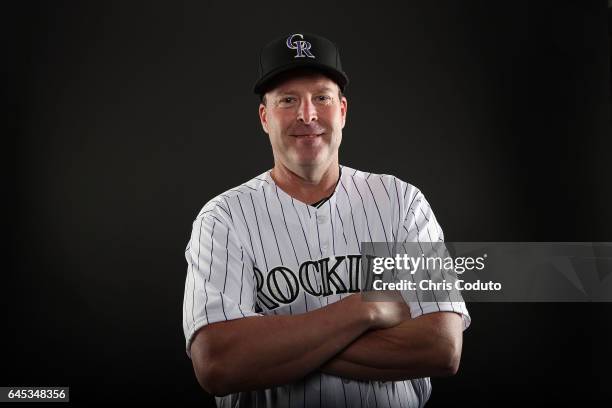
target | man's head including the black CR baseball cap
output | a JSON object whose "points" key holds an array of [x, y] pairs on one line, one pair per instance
{"points": [[302, 108]]}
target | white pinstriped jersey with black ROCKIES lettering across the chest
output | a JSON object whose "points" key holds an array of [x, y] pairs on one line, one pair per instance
{"points": [[255, 250]]}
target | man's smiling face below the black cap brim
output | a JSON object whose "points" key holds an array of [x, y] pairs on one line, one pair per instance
{"points": [[304, 117]]}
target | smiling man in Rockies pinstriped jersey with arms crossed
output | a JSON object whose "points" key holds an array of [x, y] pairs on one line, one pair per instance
{"points": [[272, 314]]}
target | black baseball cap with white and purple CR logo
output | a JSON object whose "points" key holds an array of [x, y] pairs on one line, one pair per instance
{"points": [[299, 50]]}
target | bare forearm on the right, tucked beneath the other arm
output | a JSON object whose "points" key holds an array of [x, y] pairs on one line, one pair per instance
{"points": [[429, 345]]}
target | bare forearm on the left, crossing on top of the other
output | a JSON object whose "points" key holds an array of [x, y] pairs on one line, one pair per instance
{"points": [[260, 352]]}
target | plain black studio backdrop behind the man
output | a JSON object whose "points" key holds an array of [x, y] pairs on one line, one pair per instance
{"points": [[126, 117]]}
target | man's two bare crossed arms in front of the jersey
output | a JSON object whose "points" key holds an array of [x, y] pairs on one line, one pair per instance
{"points": [[350, 338]]}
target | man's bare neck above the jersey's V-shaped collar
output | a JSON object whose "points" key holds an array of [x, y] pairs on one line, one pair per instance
{"points": [[307, 188]]}
